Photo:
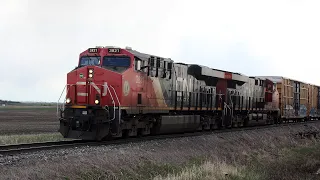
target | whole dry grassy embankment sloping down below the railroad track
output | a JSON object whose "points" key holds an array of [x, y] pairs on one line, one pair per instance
{"points": [[264, 154]]}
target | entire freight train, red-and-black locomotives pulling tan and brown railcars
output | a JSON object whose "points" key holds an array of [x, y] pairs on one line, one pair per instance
{"points": [[120, 92]]}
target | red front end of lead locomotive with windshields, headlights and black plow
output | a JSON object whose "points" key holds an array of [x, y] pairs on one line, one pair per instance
{"points": [[94, 94]]}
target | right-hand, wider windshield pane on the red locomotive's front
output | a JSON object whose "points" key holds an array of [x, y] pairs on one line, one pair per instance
{"points": [[116, 63]]}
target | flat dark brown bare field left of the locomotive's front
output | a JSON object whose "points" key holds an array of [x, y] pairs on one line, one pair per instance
{"points": [[28, 120]]}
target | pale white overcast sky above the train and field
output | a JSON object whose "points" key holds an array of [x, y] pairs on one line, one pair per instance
{"points": [[41, 39]]}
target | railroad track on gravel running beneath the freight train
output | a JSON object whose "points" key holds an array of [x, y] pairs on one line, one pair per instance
{"points": [[23, 148]]}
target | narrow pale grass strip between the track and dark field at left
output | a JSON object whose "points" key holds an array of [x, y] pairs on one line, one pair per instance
{"points": [[30, 138]]}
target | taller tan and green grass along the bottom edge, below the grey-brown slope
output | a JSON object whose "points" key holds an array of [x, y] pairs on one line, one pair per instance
{"points": [[289, 164]]}
